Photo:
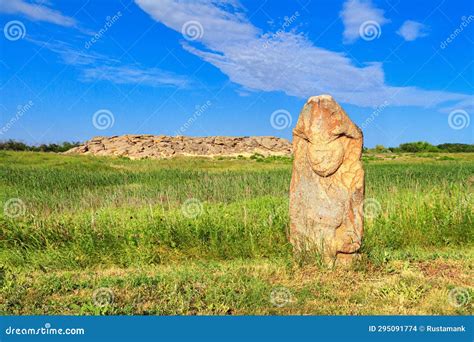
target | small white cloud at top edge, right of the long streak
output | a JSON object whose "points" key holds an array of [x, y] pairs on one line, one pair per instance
{"points": [[355, 14]]}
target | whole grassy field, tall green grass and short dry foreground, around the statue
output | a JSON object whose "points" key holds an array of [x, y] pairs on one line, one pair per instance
{"points": [[88, 235]]}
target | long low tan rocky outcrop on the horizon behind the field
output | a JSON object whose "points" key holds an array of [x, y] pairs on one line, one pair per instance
{"points": [[151, 146]]}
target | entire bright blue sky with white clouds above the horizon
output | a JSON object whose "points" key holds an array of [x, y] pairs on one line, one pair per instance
{"points": [[70, 70]]}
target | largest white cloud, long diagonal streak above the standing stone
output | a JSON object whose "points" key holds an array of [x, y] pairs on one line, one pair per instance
{"points": [[286, 62]]}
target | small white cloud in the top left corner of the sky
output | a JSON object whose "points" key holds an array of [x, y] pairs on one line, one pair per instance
{"points": [[36, 12]]}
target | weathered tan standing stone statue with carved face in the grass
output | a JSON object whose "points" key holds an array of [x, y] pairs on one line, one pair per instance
{"points": [[327, 184]]}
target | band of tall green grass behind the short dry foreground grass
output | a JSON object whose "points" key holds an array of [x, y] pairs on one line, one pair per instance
{"points": [[83, 212]]}
